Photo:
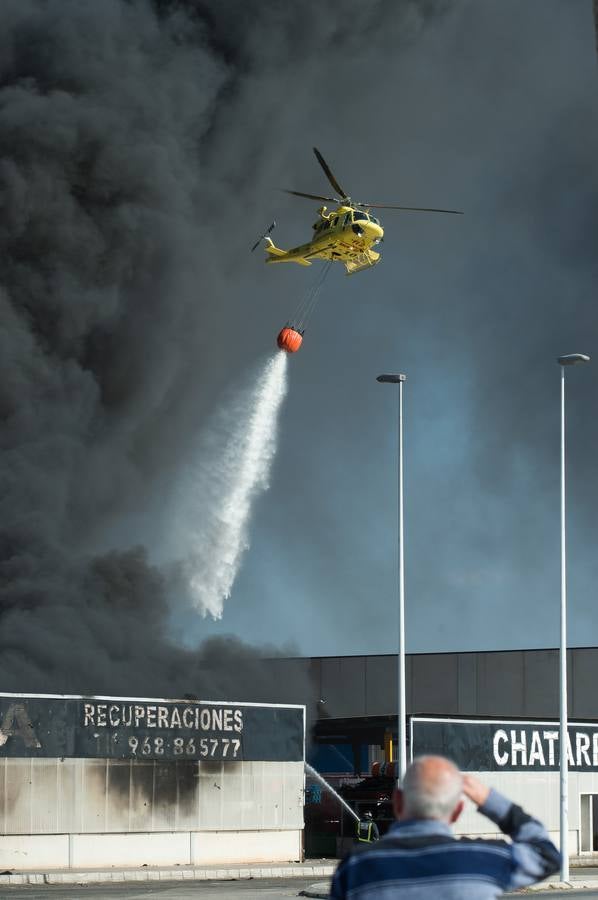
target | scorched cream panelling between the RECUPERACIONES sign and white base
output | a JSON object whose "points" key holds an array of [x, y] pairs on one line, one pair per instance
{"points": [[101, 796]]}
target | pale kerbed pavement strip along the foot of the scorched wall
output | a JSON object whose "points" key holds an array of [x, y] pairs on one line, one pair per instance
{"points": [[313, 868]]}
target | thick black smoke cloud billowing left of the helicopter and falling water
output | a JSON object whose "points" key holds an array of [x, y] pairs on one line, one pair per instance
{"points": [[135, 142]]}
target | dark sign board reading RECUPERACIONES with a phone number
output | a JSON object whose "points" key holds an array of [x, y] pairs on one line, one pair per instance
{"points": [[127, 728]]}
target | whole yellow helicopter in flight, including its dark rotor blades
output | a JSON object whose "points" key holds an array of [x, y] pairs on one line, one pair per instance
{"points": [[346, 234]]}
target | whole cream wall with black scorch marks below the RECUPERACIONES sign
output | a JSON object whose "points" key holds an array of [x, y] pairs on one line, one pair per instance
{"points": [[76, 812]]}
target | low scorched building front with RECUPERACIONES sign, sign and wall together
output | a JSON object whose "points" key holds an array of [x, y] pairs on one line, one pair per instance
{"points": [[113, 781]]}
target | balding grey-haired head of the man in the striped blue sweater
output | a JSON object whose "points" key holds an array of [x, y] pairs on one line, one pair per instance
{"points": [[431, 789]]}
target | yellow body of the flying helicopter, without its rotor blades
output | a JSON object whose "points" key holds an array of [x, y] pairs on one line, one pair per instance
{"points": [[346, 235]]}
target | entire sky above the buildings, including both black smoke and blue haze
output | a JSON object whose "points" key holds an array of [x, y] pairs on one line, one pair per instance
{"points": [[144, 148]]}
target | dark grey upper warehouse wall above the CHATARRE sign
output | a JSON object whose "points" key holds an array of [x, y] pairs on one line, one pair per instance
{"points": [[519, 683]]}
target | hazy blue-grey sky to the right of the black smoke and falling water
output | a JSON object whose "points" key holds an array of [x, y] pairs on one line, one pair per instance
{"points": [[492, 109]]}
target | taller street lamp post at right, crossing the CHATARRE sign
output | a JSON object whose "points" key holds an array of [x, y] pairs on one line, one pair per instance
{"points": [[570, 359]]}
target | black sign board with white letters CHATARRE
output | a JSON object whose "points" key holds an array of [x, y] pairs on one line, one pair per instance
{"points": [[505, 746]]}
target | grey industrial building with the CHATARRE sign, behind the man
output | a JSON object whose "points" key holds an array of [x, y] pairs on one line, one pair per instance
{"points": [[494, 713]]}
